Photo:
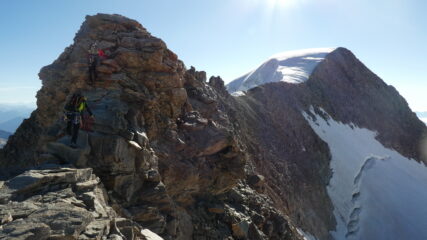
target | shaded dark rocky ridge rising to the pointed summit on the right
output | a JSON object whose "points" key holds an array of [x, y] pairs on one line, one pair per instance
{"points": [[295, 162]]}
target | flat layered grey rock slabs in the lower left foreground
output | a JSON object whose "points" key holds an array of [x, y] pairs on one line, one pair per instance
{"points": [[60, 203]]}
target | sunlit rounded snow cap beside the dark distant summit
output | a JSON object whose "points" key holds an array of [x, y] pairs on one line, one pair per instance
{"points": [[291, 67]]}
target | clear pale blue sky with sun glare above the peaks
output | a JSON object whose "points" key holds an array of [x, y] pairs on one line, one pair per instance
{"points": [[227, 37]]}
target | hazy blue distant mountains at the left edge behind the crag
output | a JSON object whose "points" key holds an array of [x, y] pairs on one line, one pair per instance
{"points": [[12, 115]]}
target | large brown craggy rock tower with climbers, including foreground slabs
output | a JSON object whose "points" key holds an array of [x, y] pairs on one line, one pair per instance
{"points": [[164, 154]]}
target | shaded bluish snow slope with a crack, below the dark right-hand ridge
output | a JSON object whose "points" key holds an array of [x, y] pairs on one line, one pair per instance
{"points": [[377, 193]]}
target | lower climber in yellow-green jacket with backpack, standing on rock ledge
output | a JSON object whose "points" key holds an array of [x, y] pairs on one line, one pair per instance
{"points": [[73, 114]]}
